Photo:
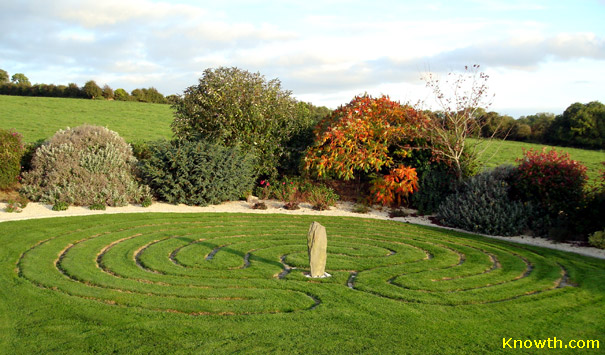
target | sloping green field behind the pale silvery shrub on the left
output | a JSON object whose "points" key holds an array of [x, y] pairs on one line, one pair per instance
{"points": [[40, 117]]}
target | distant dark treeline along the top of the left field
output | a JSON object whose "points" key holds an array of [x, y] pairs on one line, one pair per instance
{"points": [[19, 85]]}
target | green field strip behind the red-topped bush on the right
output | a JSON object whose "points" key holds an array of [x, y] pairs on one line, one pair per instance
{"points": [[503, 152]]}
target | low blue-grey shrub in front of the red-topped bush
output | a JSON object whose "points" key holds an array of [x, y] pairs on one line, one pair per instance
{"points": [[482, 204]]}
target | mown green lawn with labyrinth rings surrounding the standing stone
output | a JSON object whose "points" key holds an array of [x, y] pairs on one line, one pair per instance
{"points": [[219, 283]]}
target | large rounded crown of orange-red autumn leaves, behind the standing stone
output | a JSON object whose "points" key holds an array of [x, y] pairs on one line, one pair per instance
{"points": [[356, 137]]}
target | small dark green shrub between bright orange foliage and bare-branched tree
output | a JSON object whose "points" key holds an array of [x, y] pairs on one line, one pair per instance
{"points": [[434, 186]]}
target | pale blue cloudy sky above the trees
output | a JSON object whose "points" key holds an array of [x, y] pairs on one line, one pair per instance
{"points": [[541, 56]]}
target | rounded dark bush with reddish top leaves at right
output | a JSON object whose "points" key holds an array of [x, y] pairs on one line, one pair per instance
{"points": [[551, 180]]}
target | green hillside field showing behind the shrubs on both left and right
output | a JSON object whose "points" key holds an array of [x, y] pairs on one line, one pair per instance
{"points": [[40, 117]]}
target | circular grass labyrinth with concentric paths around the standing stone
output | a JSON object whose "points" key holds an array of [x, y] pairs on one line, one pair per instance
{"points": [[227, 265]]}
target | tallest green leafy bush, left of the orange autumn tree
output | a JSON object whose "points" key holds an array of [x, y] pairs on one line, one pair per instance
{"points": [[237, 107]]}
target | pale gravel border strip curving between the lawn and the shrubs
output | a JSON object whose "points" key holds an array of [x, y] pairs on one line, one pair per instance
{"points": [[37, 210]]}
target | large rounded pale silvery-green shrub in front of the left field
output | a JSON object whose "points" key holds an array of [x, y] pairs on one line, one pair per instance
{"points": [[83, 166]]}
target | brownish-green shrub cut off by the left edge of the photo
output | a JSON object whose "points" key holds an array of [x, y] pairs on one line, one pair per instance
{"points": [[11, 151]]}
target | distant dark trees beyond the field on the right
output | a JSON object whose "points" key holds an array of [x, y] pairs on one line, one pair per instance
{"points": [[581, 125]]}
